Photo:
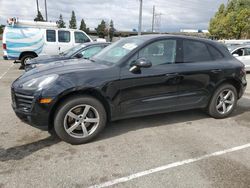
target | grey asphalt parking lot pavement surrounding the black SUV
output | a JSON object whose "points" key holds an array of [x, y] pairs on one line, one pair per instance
{"points": [[185, 142]]}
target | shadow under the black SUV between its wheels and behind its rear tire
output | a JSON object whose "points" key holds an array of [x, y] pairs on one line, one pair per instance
{"points": [[168, 119]]}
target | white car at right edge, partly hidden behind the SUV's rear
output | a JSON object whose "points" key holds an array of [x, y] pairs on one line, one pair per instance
{"points": [[242, 53]]}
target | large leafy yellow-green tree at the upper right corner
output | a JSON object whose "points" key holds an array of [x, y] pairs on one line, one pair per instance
{"points": [[231, 21]]}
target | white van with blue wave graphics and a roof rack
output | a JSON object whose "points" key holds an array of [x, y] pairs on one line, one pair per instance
{"points": [[23, 40]]}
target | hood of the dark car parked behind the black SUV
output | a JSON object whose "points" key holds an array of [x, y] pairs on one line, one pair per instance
{"points": [[43, 59]]}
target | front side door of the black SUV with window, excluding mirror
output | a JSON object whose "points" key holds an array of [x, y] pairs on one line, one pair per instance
{"points": [[152, 90]]}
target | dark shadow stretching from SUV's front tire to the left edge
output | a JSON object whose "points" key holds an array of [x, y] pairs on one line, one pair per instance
{"points": [[20, 152]]}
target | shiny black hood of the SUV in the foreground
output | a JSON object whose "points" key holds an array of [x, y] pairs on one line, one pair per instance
{"points": [[63, 67]]}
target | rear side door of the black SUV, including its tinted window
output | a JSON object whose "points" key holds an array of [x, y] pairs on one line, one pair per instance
{"points": [[200, 68]]}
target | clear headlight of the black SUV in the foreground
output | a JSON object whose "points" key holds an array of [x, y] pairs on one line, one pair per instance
{"points": [[39, 83]]}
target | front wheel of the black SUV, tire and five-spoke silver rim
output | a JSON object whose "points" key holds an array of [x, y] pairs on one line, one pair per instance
{"points": [[80, 128]]}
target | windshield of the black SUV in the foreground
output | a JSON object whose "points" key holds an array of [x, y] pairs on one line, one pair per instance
{"points": [[116, 51]]}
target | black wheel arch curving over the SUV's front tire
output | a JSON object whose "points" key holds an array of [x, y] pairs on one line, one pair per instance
{"points": [[89, 92]]}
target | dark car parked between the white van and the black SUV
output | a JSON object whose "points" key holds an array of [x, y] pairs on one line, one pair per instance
{"points": [[86, 50]]}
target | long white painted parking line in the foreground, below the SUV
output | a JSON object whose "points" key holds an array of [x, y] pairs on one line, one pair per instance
{"points": [[168, 166]]}
